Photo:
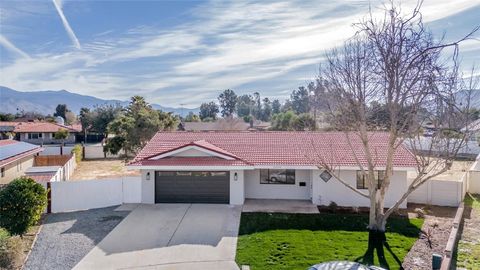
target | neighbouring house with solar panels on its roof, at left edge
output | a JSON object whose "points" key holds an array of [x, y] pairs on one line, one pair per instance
{"points": [[15, 158]]}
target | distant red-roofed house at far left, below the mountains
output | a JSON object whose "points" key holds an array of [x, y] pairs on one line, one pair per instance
{"points": [[40, 132]]}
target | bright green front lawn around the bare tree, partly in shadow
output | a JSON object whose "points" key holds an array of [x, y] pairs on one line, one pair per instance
{"points": [[297, 241]]}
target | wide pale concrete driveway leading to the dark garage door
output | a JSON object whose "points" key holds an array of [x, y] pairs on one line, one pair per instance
{"points": [[170, 236]]}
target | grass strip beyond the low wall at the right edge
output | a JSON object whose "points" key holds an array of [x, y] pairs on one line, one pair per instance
{"points": [[468, 250]]}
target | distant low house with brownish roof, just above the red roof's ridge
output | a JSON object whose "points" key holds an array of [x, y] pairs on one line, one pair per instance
{"points": [[234, 124]]}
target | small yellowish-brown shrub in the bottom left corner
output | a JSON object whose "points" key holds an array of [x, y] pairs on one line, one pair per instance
{"points": [[11, 253]]}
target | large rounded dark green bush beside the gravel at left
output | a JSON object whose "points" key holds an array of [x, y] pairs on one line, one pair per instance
{"points": [[22, 203]]}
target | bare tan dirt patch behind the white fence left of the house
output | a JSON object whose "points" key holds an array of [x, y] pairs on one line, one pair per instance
{"points": [[102, 169]]}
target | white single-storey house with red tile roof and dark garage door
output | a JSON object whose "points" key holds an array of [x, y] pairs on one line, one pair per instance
{"points": [[229, 167]]}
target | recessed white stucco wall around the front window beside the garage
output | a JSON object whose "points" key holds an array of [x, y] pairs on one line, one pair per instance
{"points": [[255, 190]]}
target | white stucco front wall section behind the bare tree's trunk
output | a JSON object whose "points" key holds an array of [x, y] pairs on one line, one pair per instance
{"points": [[334, 191]]}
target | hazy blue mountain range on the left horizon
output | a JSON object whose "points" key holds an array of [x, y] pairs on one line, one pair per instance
{"points": [[45, 102]]}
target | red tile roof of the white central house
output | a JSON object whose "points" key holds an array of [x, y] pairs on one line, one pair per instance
{"points": [[280, 148]]}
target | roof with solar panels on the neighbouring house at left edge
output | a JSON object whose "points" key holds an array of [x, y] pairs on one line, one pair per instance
{"points": [[11, 150]]}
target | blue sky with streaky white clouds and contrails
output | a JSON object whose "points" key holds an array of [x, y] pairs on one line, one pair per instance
{"points": [[187, 52]]}
